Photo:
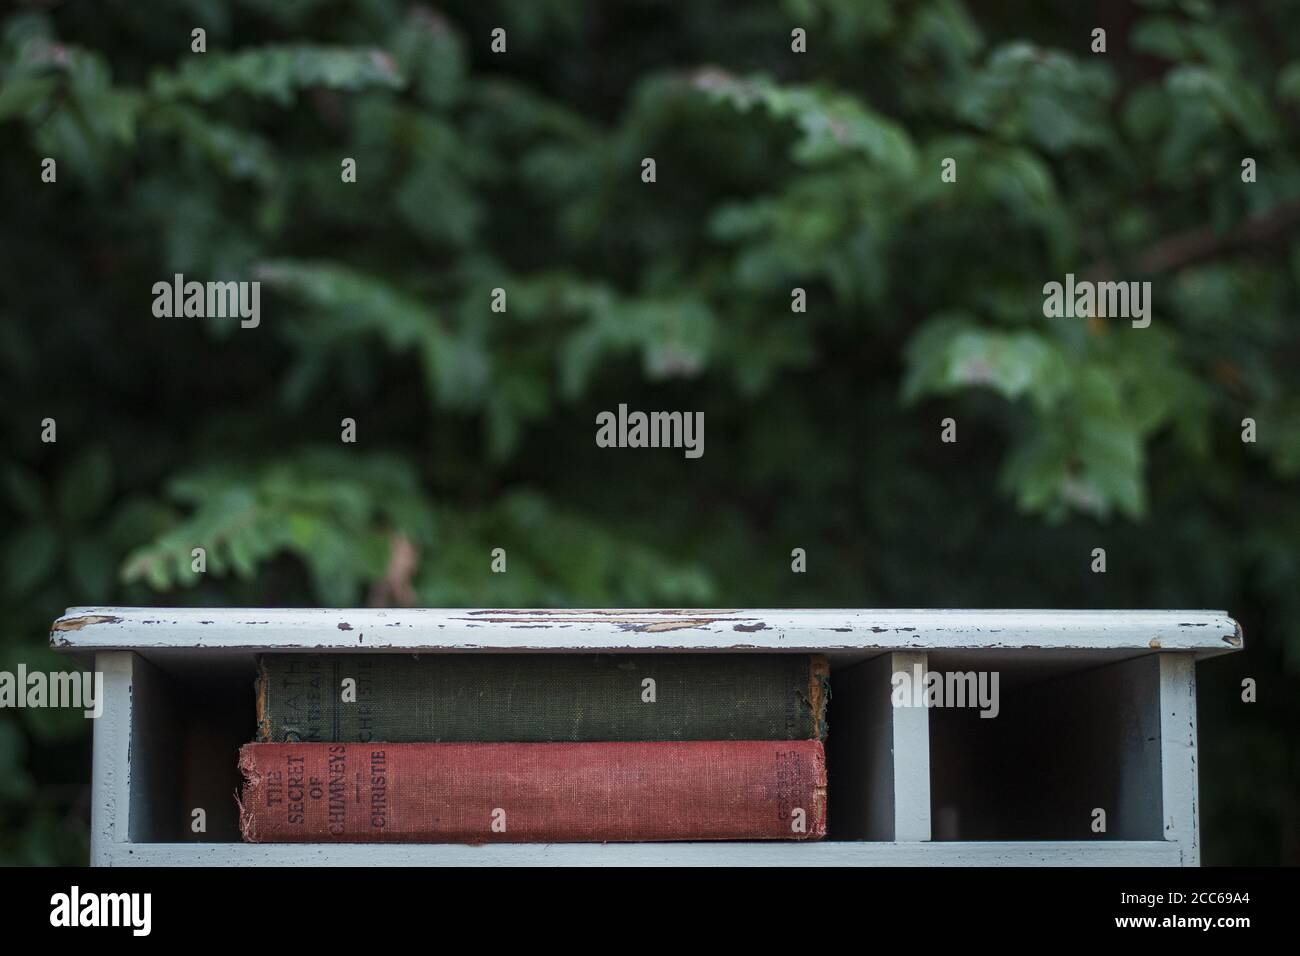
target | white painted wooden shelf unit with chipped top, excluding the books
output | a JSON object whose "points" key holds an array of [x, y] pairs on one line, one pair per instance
{"points": [[1098, 711]]}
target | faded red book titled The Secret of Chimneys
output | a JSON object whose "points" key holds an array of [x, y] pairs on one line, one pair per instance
{"points": [[590, 793]]}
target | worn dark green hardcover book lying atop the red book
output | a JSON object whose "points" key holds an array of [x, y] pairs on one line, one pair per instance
{"points": [[541, 698]]}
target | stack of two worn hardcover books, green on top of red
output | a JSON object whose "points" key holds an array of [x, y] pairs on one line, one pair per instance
{"points": [[536, 749]]}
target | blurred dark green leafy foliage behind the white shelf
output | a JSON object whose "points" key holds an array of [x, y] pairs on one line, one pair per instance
{"points": [[775, 170]]}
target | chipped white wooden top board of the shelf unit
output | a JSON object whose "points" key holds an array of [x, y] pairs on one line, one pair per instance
{"points": [[851, 631]]}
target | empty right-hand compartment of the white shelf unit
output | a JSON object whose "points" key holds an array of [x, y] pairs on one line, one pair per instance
{"points": [[1116, 737]]}
